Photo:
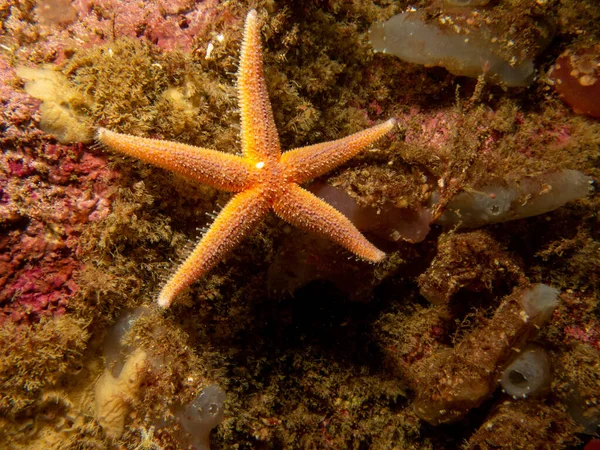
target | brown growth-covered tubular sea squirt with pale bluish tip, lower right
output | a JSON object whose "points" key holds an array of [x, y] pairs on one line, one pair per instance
{"points": [[451, 382]]}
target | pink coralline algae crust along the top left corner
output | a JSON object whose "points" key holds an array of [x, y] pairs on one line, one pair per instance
{"points": [[49, 30]]}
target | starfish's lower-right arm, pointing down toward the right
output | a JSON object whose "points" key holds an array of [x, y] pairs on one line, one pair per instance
{"points": [[302, 209]]}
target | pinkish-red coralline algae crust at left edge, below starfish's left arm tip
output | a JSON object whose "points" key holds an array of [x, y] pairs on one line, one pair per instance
{"points": [[46, 199]]}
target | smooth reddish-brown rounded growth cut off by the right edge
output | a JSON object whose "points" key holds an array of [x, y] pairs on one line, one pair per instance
{"points": [[576, 78]]}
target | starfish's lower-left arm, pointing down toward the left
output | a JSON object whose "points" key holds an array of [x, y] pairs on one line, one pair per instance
{"points": [[237, 219]]}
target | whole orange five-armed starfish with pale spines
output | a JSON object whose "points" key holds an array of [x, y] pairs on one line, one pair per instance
{"points": [[262, 177]]}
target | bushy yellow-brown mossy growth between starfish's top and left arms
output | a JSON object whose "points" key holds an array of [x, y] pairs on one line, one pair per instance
{"points": [[136, 89]]}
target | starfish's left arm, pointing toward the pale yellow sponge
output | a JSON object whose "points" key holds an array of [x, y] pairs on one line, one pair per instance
{"points": [[220, 170]]}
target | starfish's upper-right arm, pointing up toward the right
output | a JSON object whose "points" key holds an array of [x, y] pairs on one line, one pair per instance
{"points": [[305, 163]]}
